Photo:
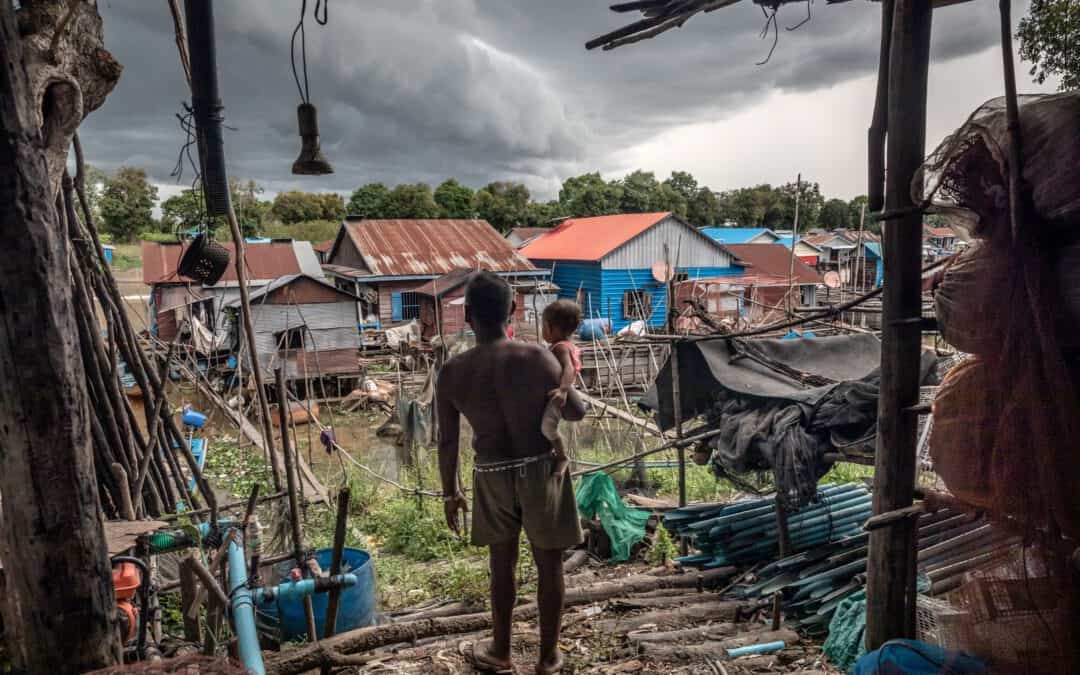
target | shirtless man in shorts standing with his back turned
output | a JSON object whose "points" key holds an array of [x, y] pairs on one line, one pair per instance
{"points": [[502, 388]]}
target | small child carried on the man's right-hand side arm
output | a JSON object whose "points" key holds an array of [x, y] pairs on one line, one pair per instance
{"points": [[561, 319]]}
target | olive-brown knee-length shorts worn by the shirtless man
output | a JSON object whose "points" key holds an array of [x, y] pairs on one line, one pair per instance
{"points": [[506, 502]]}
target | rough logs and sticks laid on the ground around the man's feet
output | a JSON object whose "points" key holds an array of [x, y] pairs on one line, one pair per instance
{"points": [[622, 619]]}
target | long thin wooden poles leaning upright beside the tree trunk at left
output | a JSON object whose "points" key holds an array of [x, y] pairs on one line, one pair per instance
{"points": [[139, 475]]}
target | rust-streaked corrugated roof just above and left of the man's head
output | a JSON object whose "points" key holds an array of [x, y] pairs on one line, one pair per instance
{"points": [[426, 248]]}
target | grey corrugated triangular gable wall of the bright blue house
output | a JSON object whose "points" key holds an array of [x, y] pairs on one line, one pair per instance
{"points": [[687, 247]]}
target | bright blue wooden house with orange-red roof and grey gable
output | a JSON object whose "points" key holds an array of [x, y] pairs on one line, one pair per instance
{"points": [[606, 263]]}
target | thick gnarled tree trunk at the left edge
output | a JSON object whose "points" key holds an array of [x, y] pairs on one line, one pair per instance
{"points": [[59, 605]]}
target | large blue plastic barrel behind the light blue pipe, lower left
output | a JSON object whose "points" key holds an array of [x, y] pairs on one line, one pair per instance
{"points": [[357, 609]]}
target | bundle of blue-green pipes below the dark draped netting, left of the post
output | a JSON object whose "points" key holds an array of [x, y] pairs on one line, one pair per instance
{"points": [[747, 533]]}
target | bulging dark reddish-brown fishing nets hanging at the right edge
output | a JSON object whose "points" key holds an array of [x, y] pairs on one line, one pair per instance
{"points": [[1005, 423]]}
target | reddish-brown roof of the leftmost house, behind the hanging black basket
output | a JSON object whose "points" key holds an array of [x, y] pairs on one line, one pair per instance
{"points": [[266, 262]]}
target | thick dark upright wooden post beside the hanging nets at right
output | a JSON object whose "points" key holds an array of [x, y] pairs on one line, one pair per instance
{"points": [[889, 593]]}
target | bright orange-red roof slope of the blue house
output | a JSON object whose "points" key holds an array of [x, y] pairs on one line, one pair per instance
{"points": [[590, 239]]}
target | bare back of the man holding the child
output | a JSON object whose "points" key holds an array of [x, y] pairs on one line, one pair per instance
{"points": [[502, 389]]}
